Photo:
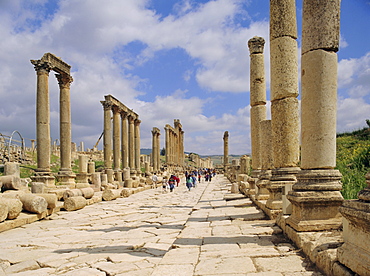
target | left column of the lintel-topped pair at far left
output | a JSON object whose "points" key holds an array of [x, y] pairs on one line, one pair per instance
{"points": [[43, 173]]}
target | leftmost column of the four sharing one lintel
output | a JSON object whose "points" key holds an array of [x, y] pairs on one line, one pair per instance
{"points": [[107, 134]]}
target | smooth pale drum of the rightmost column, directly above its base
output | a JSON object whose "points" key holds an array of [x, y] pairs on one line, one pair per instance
{"points": [[318, 145]]}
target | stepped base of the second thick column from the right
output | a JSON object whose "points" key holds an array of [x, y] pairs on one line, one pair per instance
{"points": [[280, 177]]}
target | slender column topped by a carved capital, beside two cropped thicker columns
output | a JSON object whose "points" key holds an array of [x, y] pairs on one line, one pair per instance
{"points": [[257, 102]]}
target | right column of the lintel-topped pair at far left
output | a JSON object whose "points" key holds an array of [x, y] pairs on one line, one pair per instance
{"points": [[65, 175]]}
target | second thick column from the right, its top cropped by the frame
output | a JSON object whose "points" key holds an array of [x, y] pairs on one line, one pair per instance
{"points": [[284, 102]]}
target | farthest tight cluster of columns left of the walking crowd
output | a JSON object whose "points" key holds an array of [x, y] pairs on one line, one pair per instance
{"points": [[175, 144]]}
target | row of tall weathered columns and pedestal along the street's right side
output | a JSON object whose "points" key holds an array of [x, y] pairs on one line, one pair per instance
{"points": [[309, 193]]}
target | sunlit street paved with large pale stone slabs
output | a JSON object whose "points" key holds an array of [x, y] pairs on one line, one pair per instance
{"points": [[207, 231]]}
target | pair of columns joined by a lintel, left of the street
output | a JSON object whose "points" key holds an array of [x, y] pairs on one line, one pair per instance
{"points": [[43, 67]]}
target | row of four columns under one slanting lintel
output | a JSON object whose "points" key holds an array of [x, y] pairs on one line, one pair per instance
{"points": [[121, 137]]}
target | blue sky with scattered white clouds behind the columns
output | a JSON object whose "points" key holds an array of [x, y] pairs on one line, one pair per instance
{"points": [[166, 59]]}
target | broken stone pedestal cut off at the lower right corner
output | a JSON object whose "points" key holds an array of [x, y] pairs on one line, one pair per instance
{"points": [[355, 252]]}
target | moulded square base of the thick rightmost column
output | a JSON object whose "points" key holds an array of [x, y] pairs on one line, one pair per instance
{"points": [[315, 200]]}
